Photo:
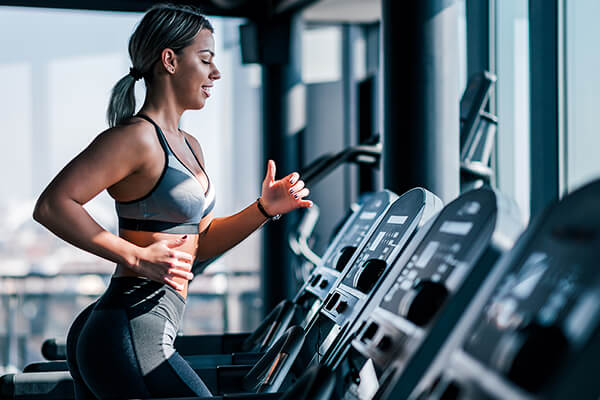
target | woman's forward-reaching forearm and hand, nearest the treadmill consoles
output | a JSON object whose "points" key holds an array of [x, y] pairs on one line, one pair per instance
{"points": [[278, 197]]}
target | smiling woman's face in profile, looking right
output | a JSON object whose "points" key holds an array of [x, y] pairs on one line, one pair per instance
{"points": [[196, 71]]}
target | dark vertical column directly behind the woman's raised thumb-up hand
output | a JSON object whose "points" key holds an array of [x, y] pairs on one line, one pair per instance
{"points": [[283, 109]]}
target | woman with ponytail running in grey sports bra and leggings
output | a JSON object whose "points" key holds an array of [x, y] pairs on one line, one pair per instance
{"points": [[122, 346]]}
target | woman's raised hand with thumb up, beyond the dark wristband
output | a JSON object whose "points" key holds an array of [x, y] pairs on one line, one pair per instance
{"points": [[283, 195]]}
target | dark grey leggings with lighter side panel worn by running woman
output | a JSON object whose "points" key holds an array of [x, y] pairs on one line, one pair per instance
{"points": [[122, 345]]}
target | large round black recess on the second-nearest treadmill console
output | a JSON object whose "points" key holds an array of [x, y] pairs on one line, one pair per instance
{"points": [[422, 302]]}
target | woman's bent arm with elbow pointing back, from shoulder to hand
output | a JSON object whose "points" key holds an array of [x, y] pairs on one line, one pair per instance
{"points": [[110, 158]]}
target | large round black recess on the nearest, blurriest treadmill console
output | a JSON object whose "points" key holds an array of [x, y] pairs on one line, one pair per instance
{"points": [[528, 356]]}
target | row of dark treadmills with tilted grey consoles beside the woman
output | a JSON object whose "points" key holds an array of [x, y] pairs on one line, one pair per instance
{"points": [[416, 300]]}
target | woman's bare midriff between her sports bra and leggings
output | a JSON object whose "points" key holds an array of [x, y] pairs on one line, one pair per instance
{"points": [[144, 239]]}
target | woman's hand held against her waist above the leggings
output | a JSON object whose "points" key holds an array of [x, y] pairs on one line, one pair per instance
{"points": [[160, 262]]}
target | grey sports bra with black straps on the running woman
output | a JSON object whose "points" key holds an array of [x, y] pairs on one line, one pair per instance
{"points": [[177, 202]]}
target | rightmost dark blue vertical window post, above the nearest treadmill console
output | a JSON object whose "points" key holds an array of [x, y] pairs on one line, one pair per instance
{"points": [[544, 97]]}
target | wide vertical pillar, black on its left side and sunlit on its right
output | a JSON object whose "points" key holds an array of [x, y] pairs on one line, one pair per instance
{"points": [[421, 96]]}
